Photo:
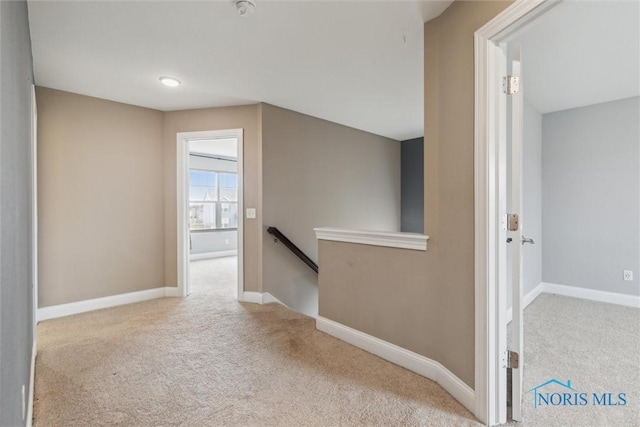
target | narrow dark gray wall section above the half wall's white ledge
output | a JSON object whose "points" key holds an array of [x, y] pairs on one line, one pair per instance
{"points": [[412, 186]]}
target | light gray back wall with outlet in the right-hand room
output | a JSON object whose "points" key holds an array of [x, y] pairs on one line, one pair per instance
{"points": [[590, 205]]}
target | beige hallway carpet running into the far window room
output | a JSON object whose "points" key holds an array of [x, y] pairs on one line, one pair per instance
{"points": [[208, 360]]}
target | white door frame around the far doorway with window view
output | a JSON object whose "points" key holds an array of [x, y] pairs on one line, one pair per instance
{"points": [[182, 190]]}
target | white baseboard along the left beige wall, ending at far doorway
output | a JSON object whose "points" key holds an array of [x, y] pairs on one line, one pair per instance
{"points": [[55, 311]]}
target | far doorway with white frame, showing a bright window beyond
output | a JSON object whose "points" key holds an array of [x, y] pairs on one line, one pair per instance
{"points": [[209, 206]]}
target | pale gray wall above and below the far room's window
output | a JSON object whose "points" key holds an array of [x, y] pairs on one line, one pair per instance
{"points": [[213, 241]]}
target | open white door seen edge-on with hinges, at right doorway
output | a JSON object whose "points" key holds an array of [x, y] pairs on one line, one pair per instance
{"points": [[516, 238]]}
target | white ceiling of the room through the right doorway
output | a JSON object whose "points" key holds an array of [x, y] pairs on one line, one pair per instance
{"points": [[582, 53]]}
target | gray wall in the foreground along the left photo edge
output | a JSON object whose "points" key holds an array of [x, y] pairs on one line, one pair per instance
{"points": [[16, 281]]}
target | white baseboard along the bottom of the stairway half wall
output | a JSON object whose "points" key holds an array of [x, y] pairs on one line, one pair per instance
{"points": [[402, 357]]}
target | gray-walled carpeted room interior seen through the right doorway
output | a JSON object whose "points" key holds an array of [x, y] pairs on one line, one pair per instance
{"points": [[580, 183]]}
